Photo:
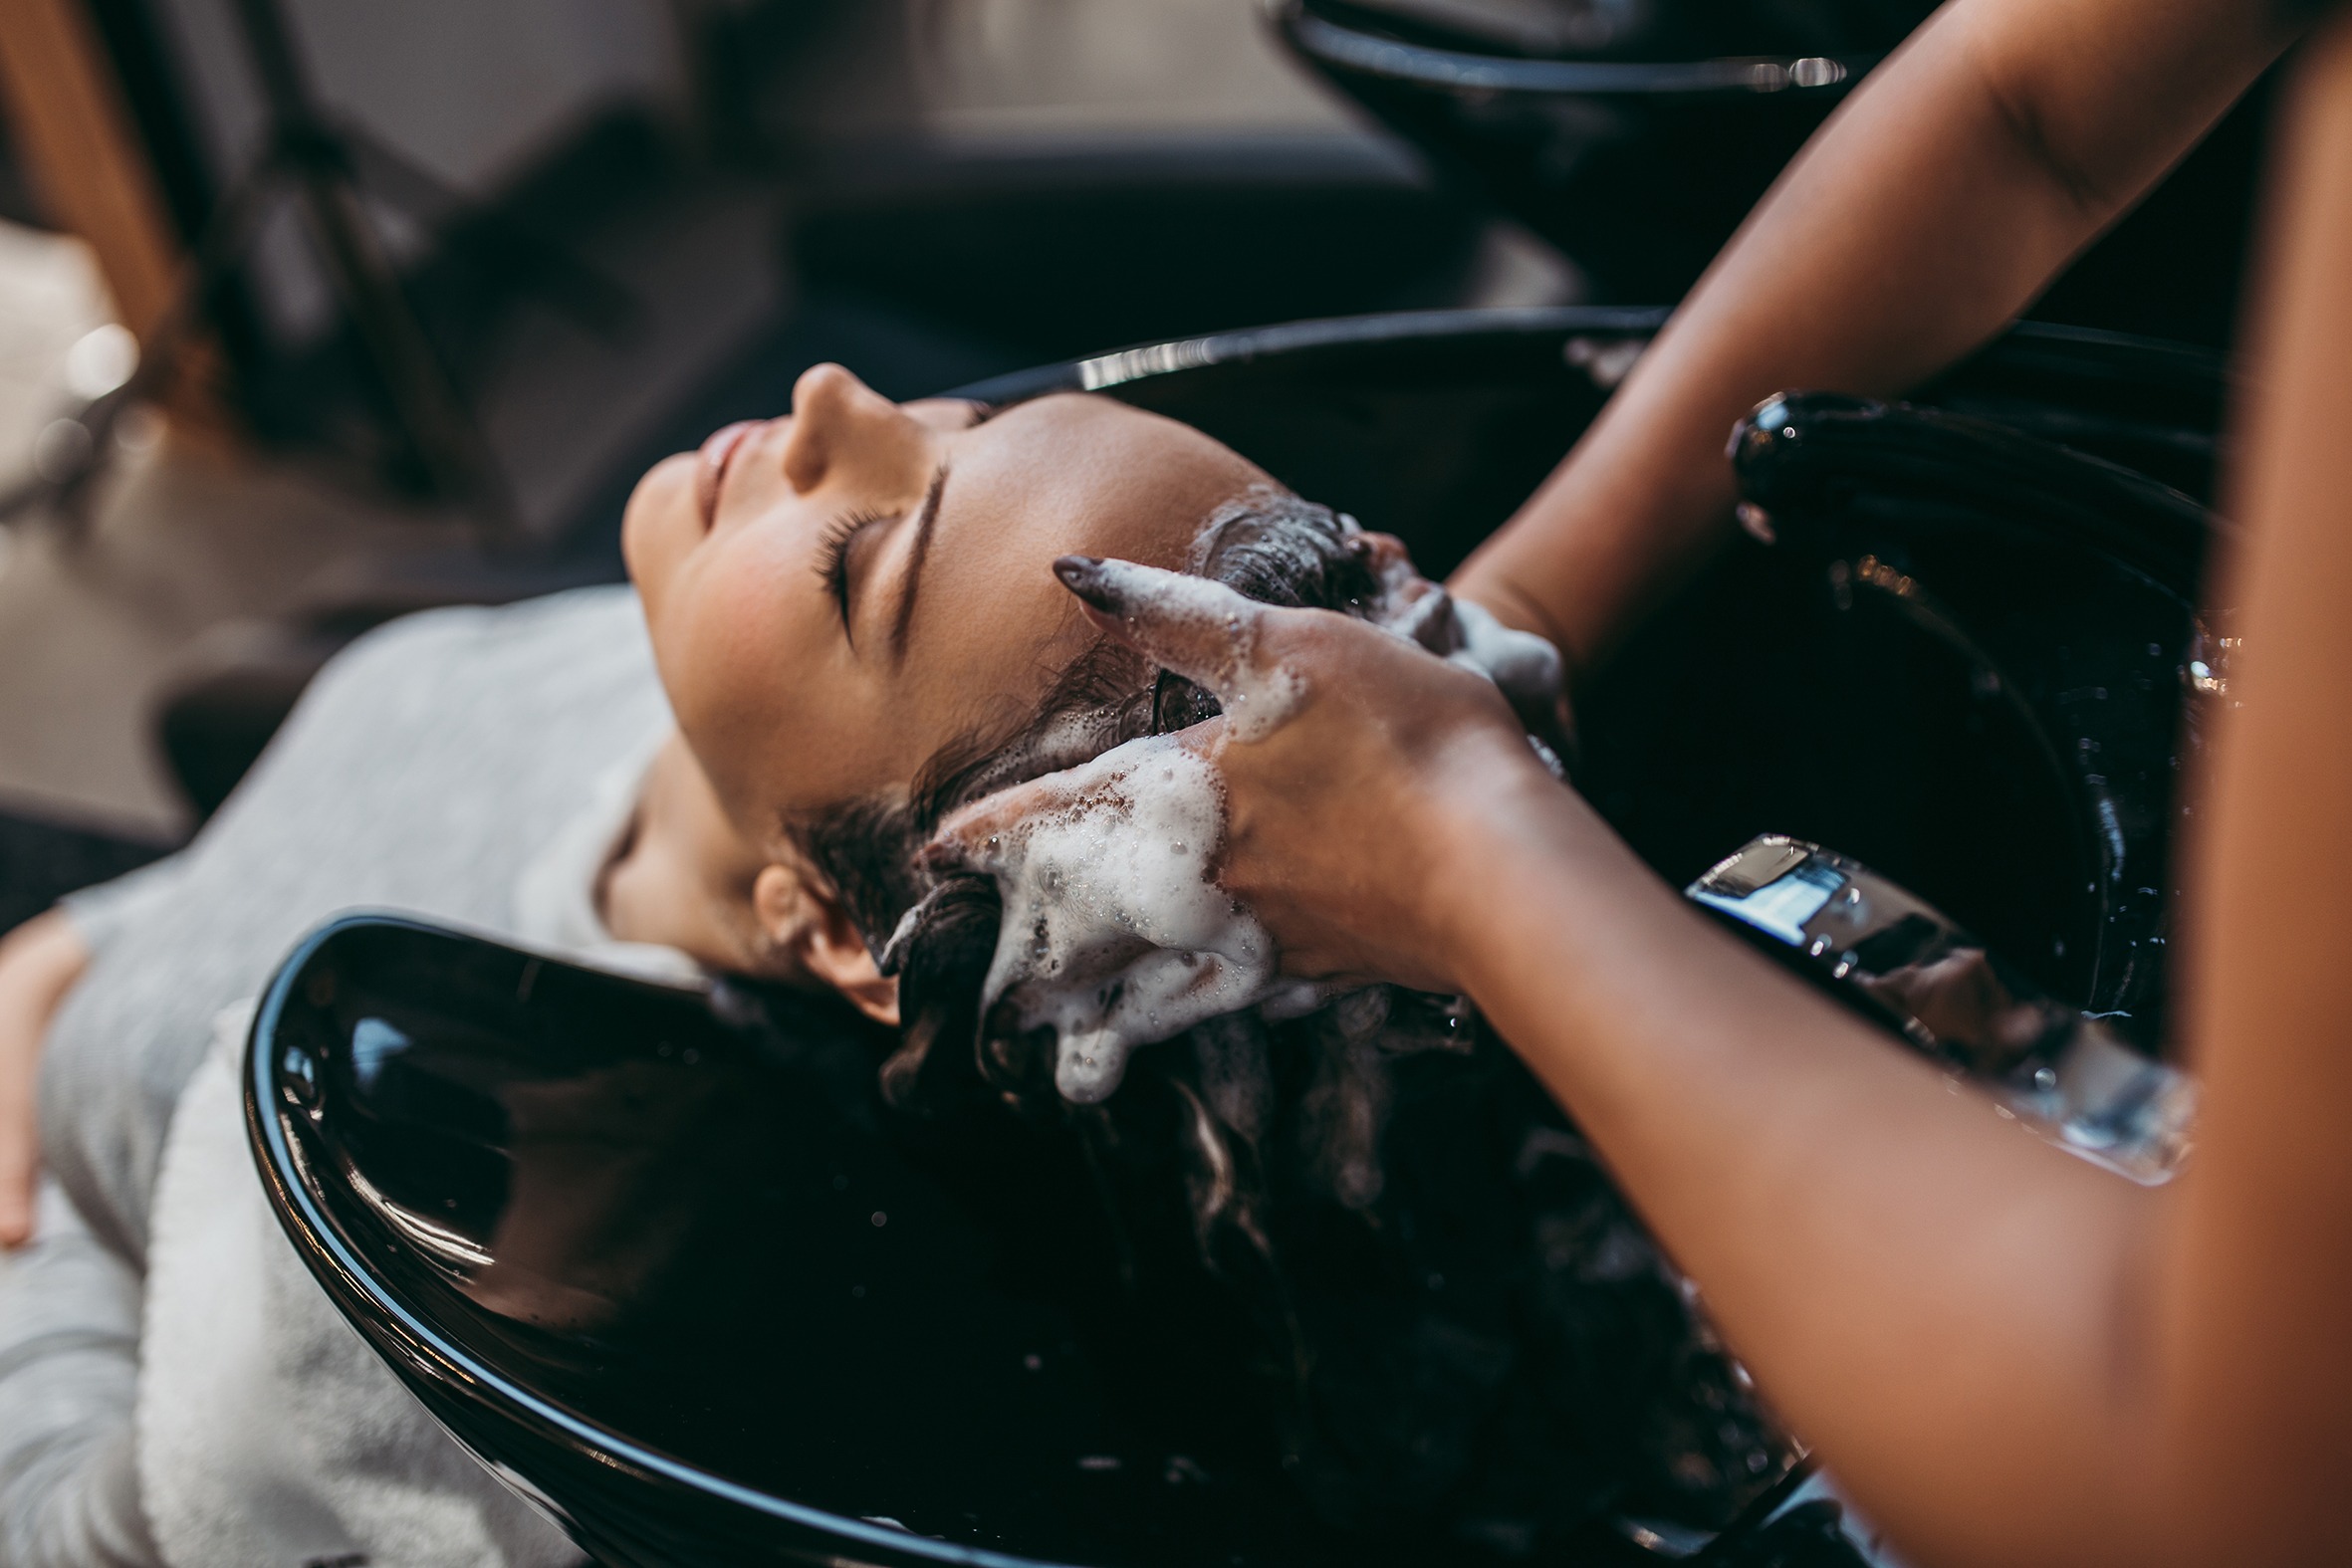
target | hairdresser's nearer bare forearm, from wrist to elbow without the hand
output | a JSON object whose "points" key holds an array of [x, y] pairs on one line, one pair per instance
{"points": [[1930, 1296]]}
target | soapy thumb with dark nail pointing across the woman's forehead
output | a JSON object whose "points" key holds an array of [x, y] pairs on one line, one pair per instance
{"points": [[1191, 626]]}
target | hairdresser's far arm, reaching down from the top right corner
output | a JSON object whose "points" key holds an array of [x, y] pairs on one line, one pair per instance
{"points": [[1930, 210]]}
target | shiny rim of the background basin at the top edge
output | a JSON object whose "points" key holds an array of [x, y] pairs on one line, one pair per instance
{"points": [[1464, 72]]}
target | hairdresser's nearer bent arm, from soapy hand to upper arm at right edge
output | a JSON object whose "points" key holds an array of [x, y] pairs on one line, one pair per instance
{"points": [[2007, 1355]]}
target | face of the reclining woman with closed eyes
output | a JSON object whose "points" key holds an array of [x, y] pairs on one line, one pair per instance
{"points": [[841, 594]]}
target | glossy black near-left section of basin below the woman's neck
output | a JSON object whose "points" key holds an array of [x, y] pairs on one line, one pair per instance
{"points": [[676, 1268]]}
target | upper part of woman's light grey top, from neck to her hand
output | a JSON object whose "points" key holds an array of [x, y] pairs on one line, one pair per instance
{"points": [[422, 772]]}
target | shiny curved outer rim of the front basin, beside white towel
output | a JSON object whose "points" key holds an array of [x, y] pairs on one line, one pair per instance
{"points": [[417, 1351]]}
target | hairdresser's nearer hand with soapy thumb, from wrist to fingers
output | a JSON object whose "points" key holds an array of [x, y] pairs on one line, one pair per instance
{"points": [[1344, 805]]}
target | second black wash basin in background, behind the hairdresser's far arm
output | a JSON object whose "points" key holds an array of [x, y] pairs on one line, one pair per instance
{"points": [[1638, 135]]}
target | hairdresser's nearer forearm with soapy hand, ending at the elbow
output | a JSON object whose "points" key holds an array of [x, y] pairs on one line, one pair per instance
{"points": [[1949, 1311]]}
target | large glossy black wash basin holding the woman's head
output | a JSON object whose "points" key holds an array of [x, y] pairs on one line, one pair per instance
{"points": [[657, 1259]]}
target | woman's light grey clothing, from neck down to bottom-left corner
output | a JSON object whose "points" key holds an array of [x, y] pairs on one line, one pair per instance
{"points": [[422, 772]]}
